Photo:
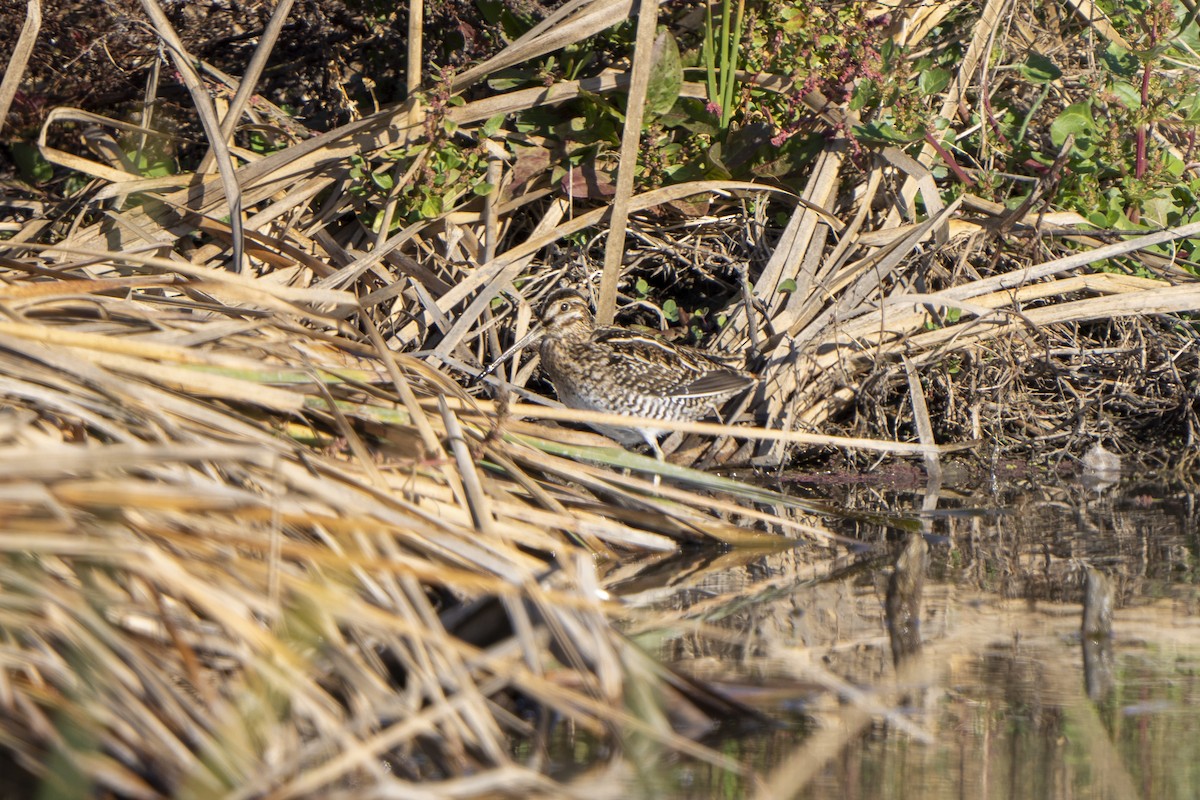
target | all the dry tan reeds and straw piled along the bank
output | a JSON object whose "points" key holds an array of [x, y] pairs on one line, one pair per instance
{"points": [[242, 483]]}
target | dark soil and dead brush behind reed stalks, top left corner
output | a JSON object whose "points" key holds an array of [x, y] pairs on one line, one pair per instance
{"points": [[334, 62]]}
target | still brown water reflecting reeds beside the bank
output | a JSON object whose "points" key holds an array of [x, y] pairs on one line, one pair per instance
{"points": [[957, 661]]}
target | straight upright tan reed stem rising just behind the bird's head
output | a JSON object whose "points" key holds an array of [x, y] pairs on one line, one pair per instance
{"points": [[615, 251]]}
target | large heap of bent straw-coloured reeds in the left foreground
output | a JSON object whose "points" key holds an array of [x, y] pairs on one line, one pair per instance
{"points": [[205, 526]]}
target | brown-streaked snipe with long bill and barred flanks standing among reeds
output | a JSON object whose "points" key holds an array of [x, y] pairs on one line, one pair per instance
{"points": [[620, 371]]}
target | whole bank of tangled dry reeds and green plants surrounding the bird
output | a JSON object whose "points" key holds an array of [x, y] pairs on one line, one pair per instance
{"points": [[263, 537]]}
